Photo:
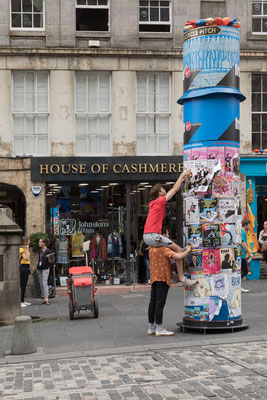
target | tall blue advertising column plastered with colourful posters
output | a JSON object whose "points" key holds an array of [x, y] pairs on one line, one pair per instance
{"points": [[212, 211]]}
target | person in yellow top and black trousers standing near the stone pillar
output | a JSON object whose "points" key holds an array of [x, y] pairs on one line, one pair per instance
{"points": [[24, 268]]}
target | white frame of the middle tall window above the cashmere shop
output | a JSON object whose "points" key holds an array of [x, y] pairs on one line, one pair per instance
{"points": [[87, 152]]}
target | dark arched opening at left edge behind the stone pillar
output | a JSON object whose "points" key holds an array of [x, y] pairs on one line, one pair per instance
{"points": [[13, 203]]}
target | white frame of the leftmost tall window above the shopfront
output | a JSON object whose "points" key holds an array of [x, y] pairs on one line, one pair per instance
{"points": [[31, 113]]}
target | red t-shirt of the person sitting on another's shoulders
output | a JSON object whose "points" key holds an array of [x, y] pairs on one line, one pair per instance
{"points": [[156, 213]]}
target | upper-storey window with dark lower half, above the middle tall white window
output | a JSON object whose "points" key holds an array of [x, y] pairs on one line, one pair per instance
{"points": [[92, 15]]}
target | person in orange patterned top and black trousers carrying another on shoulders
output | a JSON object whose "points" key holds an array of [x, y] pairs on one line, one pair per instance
{"points": [[160, 279]]}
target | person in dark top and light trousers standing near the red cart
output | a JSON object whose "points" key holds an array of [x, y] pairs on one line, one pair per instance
{"points": [[45, 261]]}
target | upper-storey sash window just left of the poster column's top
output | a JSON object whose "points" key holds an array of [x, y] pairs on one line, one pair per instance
{"points": [[154, 16]]}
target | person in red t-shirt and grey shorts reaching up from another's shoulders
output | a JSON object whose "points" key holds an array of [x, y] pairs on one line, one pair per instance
{"points": [[153, 226]]}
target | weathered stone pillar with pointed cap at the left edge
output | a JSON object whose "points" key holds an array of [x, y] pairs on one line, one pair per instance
{"points": [[10, 238]]}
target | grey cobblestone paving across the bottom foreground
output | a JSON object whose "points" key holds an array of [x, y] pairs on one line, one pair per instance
{"points": [[236, 371]]}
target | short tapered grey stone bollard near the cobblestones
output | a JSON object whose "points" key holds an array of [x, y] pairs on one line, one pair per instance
{"points": [[23, 341]]}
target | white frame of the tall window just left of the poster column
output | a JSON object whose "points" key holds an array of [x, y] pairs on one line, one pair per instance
{"points": [[157, 113]]}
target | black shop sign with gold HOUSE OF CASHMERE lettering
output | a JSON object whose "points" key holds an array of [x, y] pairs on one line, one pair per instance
{"points": [[105, 168]]}
